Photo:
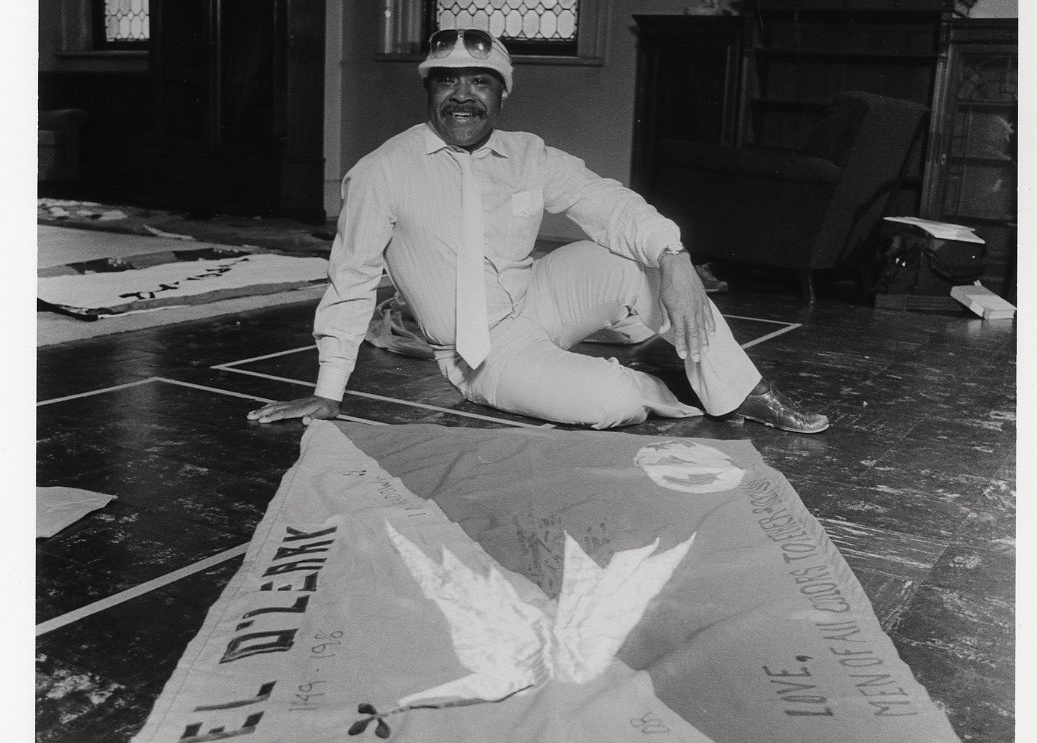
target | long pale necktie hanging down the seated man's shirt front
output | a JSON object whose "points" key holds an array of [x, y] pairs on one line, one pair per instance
{"points": [[472, 337]]}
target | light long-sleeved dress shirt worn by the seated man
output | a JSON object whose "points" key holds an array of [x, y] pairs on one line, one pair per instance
{"points": [[402, 211]]}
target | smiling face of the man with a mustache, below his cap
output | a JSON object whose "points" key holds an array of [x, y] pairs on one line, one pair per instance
{"points": [[464, 104]]}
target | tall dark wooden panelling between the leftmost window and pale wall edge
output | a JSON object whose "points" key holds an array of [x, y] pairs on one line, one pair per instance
{"points": [[238, 105]]}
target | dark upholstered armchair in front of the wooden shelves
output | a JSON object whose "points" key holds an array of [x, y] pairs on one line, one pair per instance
{"points": [[816, 207]]}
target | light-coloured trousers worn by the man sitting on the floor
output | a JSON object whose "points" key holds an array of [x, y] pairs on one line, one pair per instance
{"points": [[575, 292]]}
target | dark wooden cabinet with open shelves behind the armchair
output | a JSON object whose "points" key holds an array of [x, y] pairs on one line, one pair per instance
{"points": [[783, 61]]}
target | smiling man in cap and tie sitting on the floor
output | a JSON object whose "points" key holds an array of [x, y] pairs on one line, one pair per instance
{"points": [[453, 208]]}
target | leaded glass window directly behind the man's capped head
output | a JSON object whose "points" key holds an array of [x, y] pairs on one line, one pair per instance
{"points": [[527, 26]]}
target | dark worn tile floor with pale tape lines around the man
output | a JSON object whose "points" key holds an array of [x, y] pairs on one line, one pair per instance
{"points": [[915, 482]]}
